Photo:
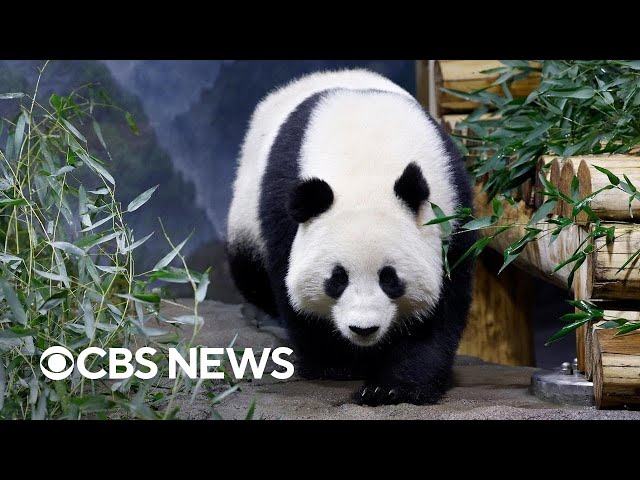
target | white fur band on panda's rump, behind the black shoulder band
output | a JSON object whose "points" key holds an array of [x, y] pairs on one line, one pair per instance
{"points": [[269, 115]]}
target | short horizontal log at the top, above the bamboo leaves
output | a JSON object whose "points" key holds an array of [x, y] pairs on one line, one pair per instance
{"points": [[467, 76]]}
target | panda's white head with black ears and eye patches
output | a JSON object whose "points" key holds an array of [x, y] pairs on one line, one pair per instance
{"points": [[369, 267]]}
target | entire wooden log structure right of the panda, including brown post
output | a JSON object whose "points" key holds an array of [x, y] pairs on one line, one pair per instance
{"points": [[499, 315]]}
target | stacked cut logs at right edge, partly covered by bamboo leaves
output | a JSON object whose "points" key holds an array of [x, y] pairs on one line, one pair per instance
{"points": [[615, 384]]}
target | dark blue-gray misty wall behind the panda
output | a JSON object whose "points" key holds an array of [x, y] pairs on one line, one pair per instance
{"points": [[192, 115]]}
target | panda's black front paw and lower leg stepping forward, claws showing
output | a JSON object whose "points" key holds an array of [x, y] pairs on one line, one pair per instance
{"points": [[414, 371]]}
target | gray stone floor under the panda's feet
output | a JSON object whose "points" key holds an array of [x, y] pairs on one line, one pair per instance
{"points": [[481, 391]]}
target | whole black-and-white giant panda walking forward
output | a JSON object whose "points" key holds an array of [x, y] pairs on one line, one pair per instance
{"points": [[326, 230]]}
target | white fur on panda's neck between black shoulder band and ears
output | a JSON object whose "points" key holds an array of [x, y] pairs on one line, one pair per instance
{"points": [[360, 143]]}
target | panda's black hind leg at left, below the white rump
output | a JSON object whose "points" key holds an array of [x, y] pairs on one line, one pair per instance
{"points": [[250, 276]]}
